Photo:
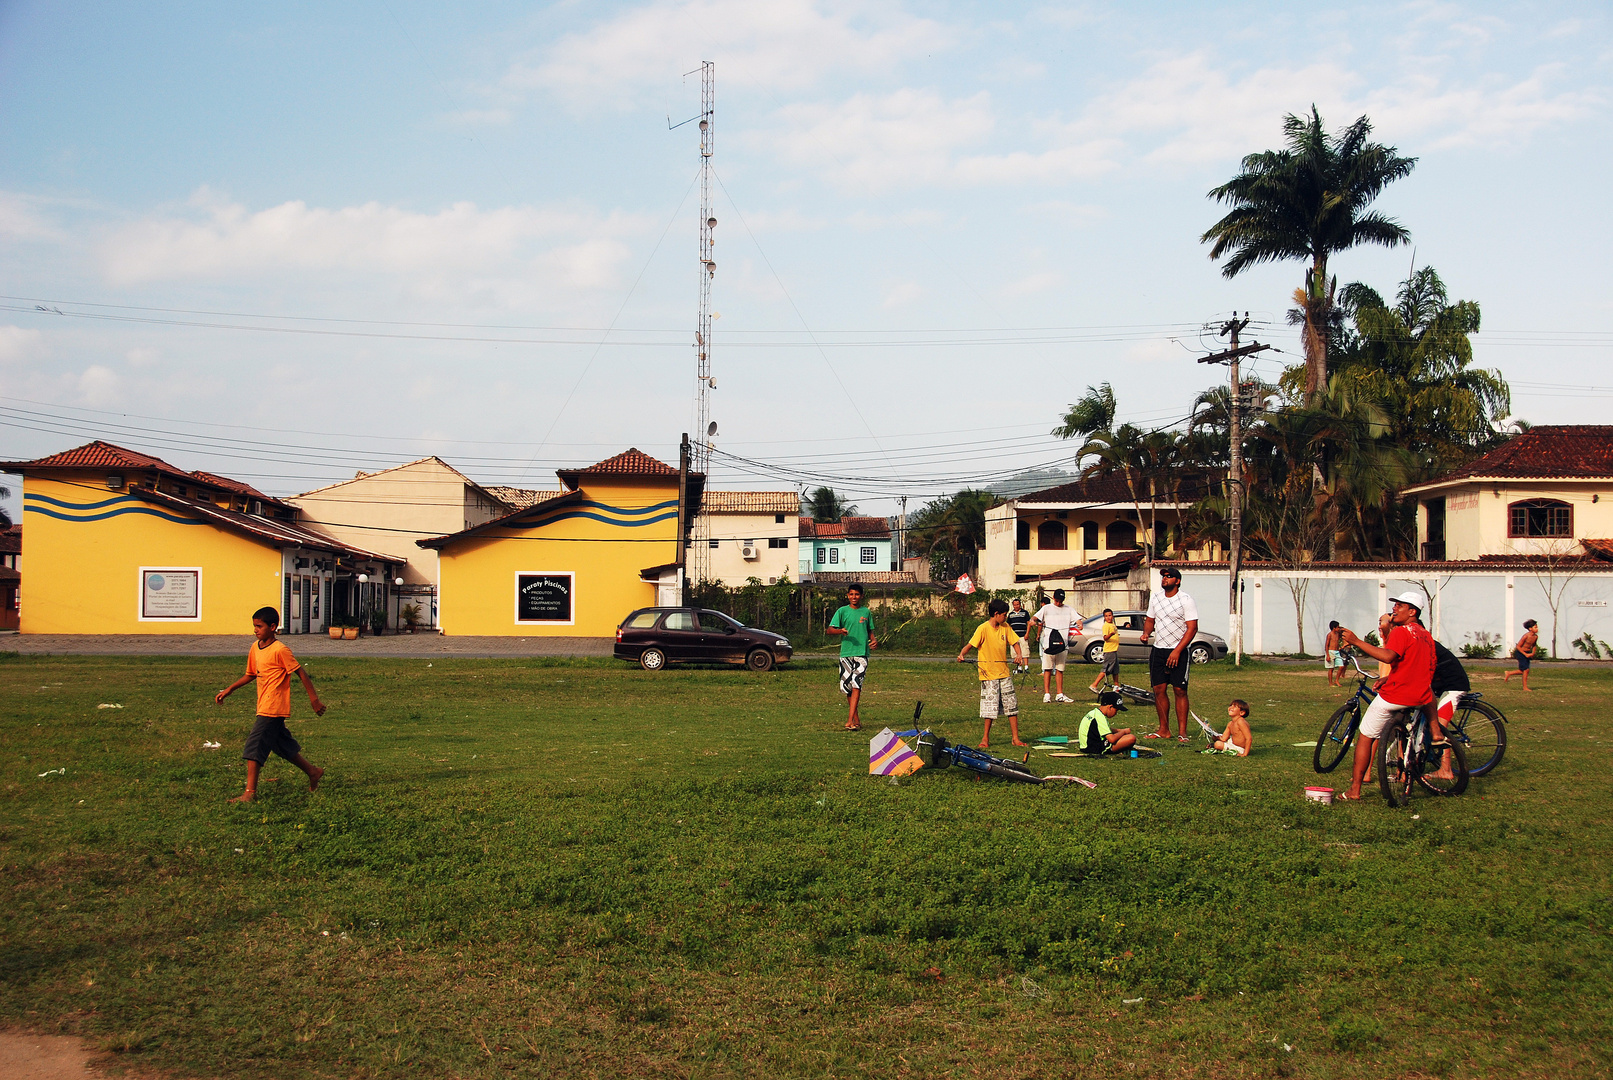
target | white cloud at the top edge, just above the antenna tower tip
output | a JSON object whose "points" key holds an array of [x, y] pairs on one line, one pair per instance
{"points": [[781, 44]]}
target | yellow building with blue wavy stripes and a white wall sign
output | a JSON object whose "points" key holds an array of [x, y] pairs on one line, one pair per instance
{"points": [[120, 542]]}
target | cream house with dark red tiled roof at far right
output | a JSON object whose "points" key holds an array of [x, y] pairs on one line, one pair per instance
{"points": [[1538, 494]]}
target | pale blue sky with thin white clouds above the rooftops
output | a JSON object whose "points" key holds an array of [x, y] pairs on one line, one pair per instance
{"points": [[346, 236]]}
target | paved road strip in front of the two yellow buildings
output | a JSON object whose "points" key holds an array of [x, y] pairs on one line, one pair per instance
{"points": [[402, 646]]}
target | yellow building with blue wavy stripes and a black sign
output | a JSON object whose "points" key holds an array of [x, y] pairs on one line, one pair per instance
{"points": [[572, 565]]}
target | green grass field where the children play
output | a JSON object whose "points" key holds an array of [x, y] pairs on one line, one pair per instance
{"points": [[577, 870]]}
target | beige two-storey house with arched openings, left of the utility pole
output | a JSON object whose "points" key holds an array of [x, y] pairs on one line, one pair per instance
{"points": [[1052, 534]]}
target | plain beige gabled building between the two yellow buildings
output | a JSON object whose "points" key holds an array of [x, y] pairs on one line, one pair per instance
{"points": [[394, 509]]}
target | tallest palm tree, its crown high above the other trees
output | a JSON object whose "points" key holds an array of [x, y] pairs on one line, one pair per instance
{"points": [[1307, 202]]}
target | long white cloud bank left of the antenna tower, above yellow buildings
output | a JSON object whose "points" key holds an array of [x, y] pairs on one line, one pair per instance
{"points": [[464, 251]]}
